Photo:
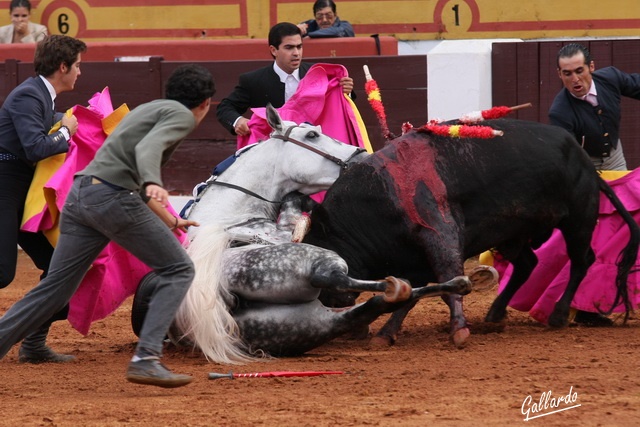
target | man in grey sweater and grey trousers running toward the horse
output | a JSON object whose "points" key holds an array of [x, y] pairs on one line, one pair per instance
{"points": [[119, 197]]}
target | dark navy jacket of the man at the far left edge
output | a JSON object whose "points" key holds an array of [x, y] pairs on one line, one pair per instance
{"points": [[25, 120]]}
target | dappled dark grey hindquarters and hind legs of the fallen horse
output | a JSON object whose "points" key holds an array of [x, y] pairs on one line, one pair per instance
{"points": [[274, 299]]}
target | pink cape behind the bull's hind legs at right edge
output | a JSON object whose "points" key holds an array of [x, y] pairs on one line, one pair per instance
{"points": [[548, 281]]}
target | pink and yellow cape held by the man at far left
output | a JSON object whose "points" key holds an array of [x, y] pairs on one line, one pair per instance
{"points": [[115, 274]]}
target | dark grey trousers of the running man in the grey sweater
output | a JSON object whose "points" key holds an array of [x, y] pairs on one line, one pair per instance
{"points": [[93, 215]]}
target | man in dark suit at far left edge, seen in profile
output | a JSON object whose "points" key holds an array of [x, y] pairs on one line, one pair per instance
{"points": [[26, 117]]}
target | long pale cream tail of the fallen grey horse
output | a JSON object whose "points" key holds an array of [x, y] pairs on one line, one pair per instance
{"points": [[204, 317]]}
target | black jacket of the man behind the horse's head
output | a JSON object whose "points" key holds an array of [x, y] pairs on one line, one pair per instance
{"points": [[256, 88]]}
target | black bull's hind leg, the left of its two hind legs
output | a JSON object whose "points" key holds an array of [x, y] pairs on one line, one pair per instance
{"points": [[523, 265]]}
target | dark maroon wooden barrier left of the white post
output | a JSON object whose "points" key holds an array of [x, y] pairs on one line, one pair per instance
{"points": [[402, 80]]}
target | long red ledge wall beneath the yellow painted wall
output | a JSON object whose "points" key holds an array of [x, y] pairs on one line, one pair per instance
{"points": [[215, 50]]}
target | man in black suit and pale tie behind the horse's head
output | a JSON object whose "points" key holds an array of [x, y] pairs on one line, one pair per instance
{"points": [[272, 84]]}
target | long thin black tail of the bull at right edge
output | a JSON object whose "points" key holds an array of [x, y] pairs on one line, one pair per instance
{"points": [[627, 257]]}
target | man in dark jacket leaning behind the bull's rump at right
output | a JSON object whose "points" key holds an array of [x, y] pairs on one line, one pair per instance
{"points": [[589, 105]]}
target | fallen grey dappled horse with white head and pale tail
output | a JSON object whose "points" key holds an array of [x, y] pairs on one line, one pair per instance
{"points": [[253, 299]]}
